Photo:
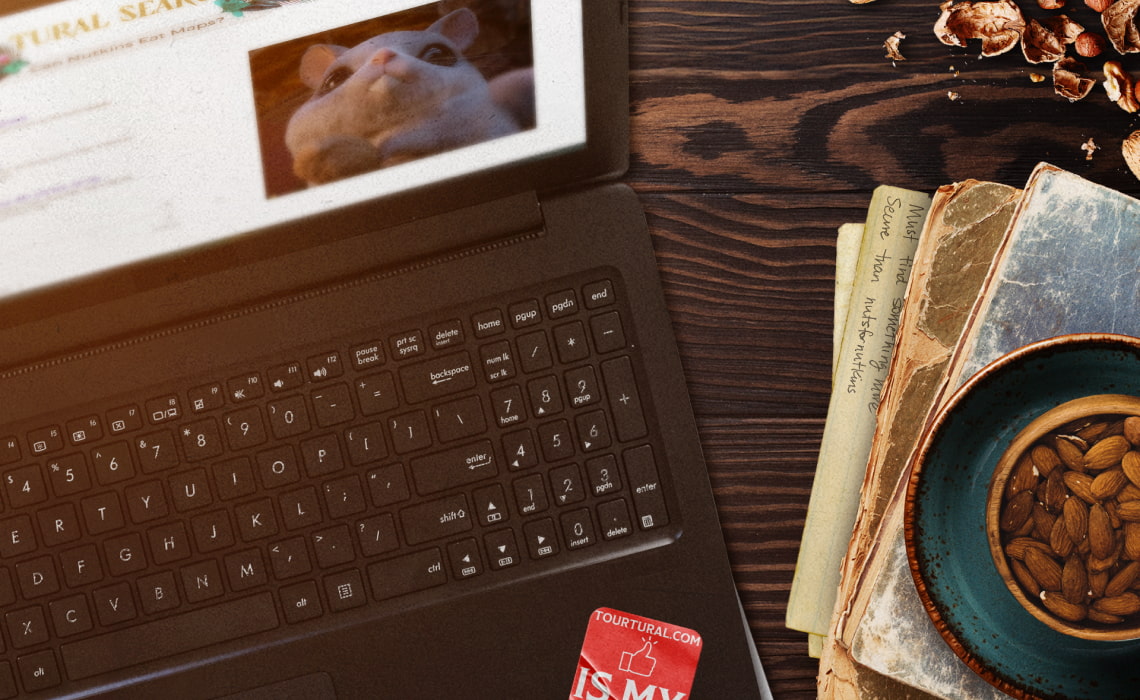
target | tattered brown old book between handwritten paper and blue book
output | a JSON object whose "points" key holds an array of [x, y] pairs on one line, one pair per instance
{"points": [[966, 225]]}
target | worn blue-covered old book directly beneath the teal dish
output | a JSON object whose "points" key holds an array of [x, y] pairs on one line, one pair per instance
{"points": [[1066, 265]]}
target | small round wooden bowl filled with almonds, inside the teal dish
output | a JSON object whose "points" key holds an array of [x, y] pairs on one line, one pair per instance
{"points": [[1063, 517]]}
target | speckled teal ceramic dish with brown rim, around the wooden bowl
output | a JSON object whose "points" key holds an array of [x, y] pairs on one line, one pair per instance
{"points": [[946, 522]]}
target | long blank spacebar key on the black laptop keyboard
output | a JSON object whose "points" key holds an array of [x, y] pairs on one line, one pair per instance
{"points": [[161, 639]]}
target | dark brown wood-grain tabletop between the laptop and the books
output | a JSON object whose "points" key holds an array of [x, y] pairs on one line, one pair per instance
{"points": [[759, 129]]}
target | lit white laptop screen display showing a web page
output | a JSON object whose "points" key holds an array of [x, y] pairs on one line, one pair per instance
{"points": [[281, 110]]}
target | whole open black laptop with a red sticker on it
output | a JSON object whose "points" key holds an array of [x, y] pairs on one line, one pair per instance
{"points": [[335, 363]]}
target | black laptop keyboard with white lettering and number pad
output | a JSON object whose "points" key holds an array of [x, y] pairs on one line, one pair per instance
{"points": [[493, 442]]}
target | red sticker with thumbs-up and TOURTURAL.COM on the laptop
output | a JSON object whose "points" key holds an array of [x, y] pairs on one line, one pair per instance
{"points": [[628, 657]]}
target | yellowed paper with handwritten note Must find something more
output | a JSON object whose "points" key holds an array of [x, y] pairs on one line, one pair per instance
{"points": [[894, 223]]}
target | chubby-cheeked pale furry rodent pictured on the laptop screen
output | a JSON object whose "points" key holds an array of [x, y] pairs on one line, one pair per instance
{"points": [[401, 96]]}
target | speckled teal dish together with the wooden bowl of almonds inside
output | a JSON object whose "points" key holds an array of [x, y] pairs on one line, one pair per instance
{"points": [[1020, 522]]}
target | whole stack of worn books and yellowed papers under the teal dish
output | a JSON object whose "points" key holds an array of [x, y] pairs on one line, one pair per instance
{"points": [[940, 288]]}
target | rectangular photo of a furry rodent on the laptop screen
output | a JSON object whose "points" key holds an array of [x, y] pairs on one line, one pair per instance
{"points": [[396, 89]]}
